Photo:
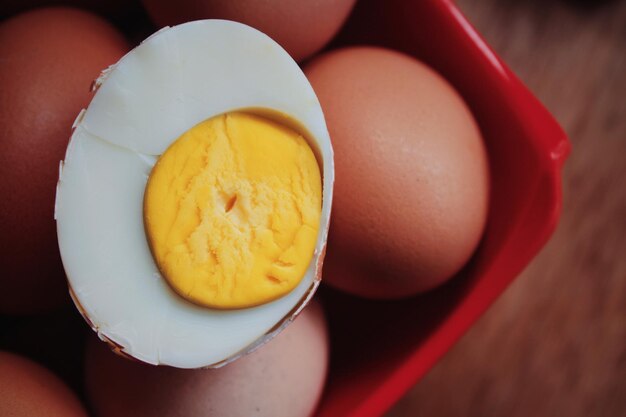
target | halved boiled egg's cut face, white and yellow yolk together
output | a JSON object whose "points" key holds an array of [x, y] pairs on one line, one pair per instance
{"points": [[194, 199]]}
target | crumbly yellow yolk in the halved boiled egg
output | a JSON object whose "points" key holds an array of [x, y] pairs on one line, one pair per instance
{"points": [[232, 211]]}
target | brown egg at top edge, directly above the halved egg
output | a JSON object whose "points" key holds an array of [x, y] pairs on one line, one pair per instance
{"points": [[302, 27]]}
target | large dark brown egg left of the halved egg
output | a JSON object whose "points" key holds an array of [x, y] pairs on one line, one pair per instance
{"points": [[48, 59]]}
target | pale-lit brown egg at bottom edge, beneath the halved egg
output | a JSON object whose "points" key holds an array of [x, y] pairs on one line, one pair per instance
{"points": [[283, 378]]}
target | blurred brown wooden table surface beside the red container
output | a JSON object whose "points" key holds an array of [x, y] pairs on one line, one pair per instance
{"points": [[554, 344]]}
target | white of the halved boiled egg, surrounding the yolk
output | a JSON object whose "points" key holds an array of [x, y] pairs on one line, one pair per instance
{"points": [[175, 79]]}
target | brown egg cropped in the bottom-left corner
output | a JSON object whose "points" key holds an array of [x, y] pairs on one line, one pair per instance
{"points": [[27, 389]]}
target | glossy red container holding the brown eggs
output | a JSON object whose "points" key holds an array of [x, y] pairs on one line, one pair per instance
{"points": [[381, 349]]}
